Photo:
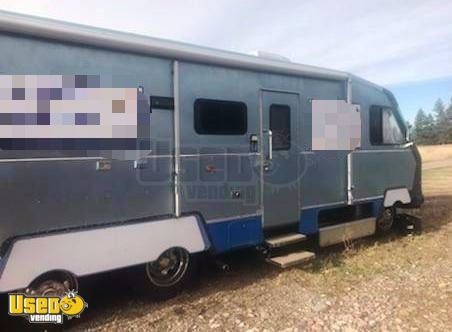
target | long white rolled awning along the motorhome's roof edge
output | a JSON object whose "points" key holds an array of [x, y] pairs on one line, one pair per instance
{"points": [[71, 32]]}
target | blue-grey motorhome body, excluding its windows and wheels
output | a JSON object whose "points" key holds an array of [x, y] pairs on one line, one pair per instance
{"points": [[227, 188]]}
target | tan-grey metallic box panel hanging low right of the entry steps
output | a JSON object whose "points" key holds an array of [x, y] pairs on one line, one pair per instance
{"points": [[347, 231]]}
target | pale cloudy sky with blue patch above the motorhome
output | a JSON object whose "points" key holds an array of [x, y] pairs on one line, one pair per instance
{"points": [[405, 46]]}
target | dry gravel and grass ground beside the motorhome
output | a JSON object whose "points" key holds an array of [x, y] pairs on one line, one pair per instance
{"points": [[385, 283]]}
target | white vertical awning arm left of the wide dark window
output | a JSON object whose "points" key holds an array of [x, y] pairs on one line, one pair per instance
{"points": [[177, 211]]}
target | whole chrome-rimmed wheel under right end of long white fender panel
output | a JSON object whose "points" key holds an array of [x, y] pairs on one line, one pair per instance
{"points": [[173, 271]]}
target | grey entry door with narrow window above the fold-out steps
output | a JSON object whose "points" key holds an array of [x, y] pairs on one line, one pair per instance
{"points": [[281, 146]]}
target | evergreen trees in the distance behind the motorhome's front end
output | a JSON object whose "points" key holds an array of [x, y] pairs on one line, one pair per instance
{"points": [[434, 127]]}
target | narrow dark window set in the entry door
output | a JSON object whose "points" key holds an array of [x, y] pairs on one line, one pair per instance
{"points": [[280, 126]]}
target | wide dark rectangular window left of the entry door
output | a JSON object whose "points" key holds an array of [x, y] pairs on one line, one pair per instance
{"points": [[219, 117]]}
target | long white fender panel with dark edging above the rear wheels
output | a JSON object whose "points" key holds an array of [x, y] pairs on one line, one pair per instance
{"points": [[89, 251]]}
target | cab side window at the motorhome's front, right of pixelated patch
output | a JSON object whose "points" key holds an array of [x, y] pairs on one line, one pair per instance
{"points": [[384, 127]]}
